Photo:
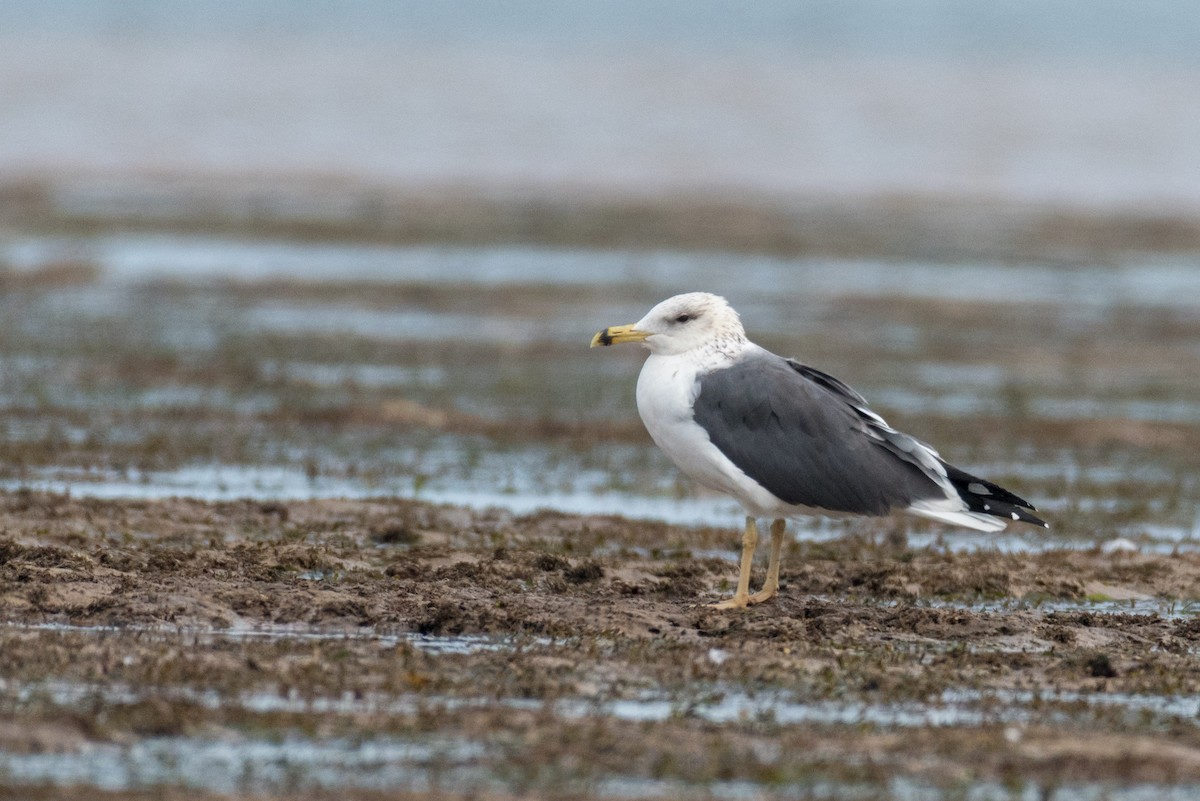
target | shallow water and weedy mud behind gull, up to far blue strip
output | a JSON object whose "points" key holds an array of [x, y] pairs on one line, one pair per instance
{"points": [[223, 369]]}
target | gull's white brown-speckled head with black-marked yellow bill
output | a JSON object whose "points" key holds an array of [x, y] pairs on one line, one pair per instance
{"points": [[681, 324]]}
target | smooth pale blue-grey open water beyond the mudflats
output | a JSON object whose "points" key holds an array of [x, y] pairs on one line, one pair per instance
{"points": [[1081, 104]]}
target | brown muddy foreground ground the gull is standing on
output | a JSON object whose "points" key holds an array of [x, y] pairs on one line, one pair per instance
{"points": [[592, 610]]}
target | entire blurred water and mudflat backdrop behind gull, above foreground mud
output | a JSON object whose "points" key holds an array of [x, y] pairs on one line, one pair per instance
{"points": [[301, 249]]}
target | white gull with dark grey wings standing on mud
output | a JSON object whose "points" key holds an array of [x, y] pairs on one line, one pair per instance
{"points": [[785, 439]]}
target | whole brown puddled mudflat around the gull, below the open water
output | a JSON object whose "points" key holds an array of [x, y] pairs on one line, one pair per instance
{"points": [[230, 408]]}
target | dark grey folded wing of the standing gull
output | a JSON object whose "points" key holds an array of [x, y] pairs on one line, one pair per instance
{"points": [[811, 441]]}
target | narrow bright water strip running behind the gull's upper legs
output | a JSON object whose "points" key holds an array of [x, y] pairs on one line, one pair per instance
{"points": [[501, 485]]}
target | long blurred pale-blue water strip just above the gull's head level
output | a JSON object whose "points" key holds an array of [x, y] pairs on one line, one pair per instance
{"points": [[133, 260]]}
